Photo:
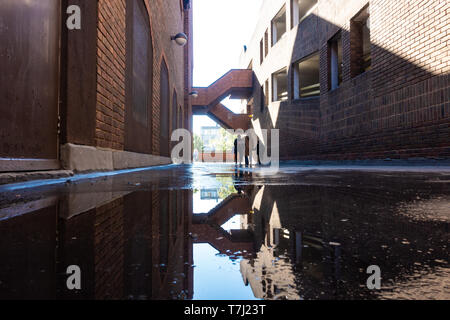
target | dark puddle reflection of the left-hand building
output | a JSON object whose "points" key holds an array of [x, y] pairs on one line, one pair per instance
{"points": [[129, 245]]}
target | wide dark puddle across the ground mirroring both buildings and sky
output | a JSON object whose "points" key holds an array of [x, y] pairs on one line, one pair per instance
{"points": [[237, 240]]}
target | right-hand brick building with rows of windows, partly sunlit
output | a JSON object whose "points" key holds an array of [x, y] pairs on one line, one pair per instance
{"points": [[353, 79]]}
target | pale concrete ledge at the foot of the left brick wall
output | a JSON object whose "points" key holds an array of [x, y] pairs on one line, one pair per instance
{"points": [[86, 159]]}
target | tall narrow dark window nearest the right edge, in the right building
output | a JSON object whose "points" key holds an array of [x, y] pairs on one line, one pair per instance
{"points": [[361, 59]]}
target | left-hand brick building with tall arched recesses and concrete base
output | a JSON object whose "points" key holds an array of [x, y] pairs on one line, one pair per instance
{"points": [[103, 97]]}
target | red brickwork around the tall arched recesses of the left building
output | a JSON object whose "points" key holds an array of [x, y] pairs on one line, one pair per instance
{"points": [[167, 18]]}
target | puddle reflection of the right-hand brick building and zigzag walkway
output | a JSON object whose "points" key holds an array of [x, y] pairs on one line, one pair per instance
{"points": [[316, 242]]}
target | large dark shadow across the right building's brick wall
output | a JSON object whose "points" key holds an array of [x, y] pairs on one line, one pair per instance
{"points": [[397, 109]]}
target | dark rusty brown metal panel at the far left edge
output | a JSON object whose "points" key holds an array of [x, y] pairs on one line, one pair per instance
{"points": [[29, 78]]}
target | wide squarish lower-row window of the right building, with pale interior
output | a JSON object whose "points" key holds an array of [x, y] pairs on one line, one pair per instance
{"points": [[306, 75]]}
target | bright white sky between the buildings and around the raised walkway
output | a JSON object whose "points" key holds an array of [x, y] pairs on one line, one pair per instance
{"points": [[221, 29]]}
